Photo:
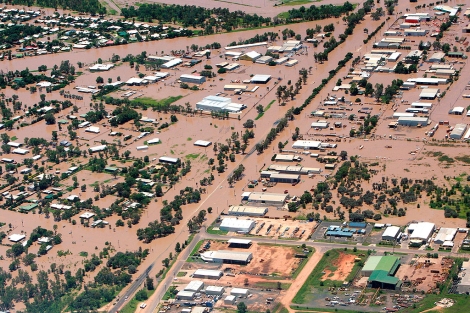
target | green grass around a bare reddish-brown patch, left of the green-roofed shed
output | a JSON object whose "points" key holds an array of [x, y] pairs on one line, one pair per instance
{"points": [[326, 262]]}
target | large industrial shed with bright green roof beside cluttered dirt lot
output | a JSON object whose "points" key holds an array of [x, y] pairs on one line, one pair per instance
{"points": [[380, 270]]}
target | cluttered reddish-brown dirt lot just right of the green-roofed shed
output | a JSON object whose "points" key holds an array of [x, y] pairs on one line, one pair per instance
{"points": [[423, 273]]}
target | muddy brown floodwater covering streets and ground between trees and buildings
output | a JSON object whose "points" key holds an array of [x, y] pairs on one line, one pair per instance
{"points": [[178, 139]]}
